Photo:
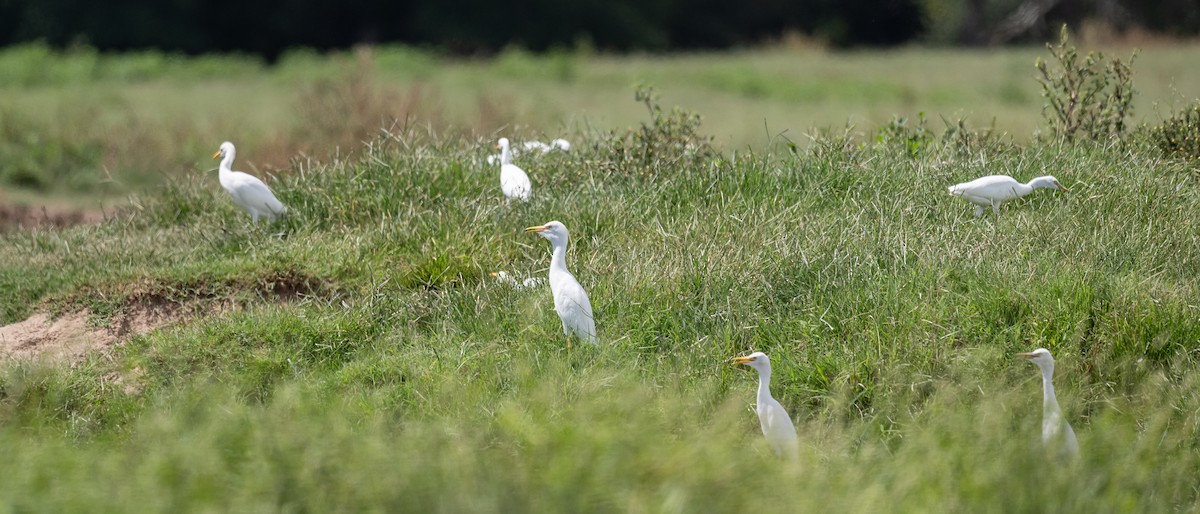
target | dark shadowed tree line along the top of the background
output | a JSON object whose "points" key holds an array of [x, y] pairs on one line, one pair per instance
{"points": [[268, 28]]}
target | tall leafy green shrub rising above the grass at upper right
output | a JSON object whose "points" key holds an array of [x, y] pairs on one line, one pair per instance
{"points": [[1087, 98]]}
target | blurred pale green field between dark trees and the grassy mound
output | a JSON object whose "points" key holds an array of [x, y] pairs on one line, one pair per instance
{"points": [[79, 125]]}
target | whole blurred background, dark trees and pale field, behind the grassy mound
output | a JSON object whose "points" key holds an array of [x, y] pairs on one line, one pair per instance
{"points": [[99, 100]]}
